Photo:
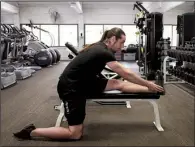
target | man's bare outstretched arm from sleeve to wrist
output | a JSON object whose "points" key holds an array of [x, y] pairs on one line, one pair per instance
{"points": [[127, 74]]}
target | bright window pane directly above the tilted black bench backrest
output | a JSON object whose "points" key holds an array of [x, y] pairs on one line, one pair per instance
{"points": [[68, 33]]}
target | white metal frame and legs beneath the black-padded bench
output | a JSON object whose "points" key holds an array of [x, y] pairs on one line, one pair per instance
{"points": [[153, 102]]}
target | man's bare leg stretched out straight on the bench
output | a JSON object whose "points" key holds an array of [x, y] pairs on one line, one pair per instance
{"points": [[125, 86]]}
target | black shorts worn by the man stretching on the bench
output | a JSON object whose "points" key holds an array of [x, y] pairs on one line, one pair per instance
{"points": [[75, 99]]}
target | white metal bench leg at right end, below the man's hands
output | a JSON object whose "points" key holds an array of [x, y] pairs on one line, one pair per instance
{"points": [[157, 116]]}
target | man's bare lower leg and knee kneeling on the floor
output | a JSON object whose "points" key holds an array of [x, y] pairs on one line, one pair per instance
{"points": [[73, 132]]}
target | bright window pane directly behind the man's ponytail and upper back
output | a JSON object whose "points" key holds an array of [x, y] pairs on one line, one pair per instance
{"points": [[93, 33]]}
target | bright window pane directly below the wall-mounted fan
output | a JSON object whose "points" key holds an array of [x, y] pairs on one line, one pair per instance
{"points": [[51, 37]]}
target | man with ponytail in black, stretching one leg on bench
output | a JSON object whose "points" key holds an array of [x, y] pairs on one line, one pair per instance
{"points": [[82, 78]]}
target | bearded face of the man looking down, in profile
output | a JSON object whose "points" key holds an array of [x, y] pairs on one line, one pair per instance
{"points": [[117, 45]]}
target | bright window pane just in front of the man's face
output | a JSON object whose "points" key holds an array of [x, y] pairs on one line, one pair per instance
{"points": [[131, 37]]}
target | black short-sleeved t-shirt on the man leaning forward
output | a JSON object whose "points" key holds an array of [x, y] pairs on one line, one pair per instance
{"points": [[86, 66]]}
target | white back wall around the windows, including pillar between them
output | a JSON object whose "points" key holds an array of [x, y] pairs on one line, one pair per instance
{"points": [[94, 13]]}
